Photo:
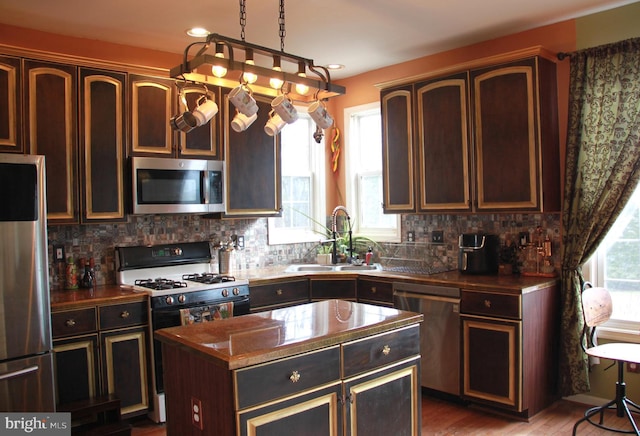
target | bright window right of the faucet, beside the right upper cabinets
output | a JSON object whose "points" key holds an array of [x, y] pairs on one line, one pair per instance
{"points": [[363, 137]]}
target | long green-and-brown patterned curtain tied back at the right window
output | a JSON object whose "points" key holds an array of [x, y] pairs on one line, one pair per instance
{"points": [[602, 162]]}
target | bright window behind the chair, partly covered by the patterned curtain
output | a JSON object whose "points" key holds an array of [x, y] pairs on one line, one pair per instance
{"points": [[616, 266]]}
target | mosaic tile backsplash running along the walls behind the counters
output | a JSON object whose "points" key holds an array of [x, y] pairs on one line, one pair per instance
{"points": [[99, 240]]}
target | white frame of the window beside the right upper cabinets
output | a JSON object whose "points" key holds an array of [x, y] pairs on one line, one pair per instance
{"points": [[352, 179]]}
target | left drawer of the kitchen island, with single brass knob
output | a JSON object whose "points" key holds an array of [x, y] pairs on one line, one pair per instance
{"points": [[269, 381]]}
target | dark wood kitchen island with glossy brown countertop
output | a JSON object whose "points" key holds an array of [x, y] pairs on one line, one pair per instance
{"points": [[325, 368]]}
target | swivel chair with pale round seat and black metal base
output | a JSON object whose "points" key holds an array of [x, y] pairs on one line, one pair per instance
{"points": [[597, 308]]}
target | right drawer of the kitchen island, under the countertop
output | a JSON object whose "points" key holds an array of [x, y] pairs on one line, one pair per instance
{"points": [[376, 351]]}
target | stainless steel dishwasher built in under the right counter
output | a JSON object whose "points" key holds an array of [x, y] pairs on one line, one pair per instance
{"points": [[439, 332]]}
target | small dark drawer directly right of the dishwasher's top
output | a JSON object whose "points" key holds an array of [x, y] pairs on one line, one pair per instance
{"points": [[487, 303]]}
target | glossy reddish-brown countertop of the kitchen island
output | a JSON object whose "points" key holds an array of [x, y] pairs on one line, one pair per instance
{"points": [[262, 337]]}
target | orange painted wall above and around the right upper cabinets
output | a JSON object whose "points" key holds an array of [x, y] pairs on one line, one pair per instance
{"points": [[361, 89]]}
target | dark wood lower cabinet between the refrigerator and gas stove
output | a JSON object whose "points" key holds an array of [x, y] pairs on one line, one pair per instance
{"points": [[102, 350]]}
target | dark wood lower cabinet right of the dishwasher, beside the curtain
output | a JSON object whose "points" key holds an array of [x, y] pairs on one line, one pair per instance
{"points": [[510, 349]]}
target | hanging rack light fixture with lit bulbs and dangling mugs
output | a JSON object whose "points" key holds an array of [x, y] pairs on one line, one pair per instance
{"points": [[301, 74]]}
